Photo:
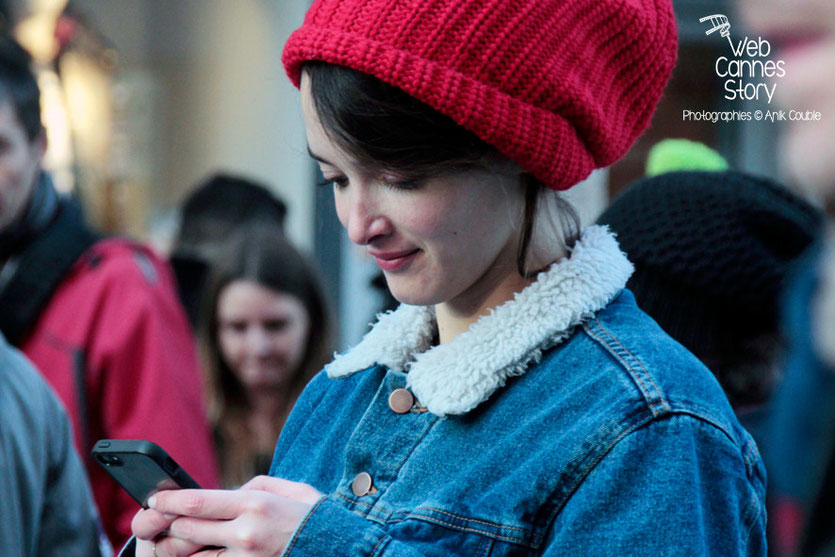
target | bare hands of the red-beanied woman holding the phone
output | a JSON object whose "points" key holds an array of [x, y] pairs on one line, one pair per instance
{"points": [[255, 520]]}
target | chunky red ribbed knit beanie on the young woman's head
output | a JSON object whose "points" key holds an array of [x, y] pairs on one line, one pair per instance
{"points": [[560, 86]]}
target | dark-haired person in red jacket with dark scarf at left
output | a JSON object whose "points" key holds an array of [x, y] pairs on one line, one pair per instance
{"points": [[98, 316]]}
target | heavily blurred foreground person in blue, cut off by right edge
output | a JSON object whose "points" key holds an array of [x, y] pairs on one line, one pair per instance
{"points": [[803, 428]]}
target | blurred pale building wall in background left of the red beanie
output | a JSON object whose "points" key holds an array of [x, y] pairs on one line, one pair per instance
{"points": [[200, 88]]}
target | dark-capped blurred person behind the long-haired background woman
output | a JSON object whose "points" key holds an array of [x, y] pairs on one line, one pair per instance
{"points": [[218, 206]]}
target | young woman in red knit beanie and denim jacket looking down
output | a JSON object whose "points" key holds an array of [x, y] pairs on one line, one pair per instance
{"points": [[518, 402]]}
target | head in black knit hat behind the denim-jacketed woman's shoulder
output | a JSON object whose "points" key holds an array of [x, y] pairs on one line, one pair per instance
{"points": [[712, 251]]}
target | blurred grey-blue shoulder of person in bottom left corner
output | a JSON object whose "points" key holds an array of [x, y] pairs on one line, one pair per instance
{"points": [[46, 508]]}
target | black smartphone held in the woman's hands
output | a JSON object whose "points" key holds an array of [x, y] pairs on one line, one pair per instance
{"points": [[141, 467]]}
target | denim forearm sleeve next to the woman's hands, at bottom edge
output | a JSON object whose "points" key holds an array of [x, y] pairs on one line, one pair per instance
{"points": [[331, 530]]}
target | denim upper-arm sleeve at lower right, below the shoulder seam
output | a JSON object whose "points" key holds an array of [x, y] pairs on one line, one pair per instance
{"points": [[676, 486]]}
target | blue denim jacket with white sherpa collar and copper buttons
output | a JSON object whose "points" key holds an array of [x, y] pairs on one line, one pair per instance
{"points": [[564, 422]]}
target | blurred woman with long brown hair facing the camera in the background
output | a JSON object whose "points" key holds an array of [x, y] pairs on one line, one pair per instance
{"points": [[265, 331]]}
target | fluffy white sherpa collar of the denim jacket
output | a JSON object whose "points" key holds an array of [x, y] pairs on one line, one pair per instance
{"points": [[455, 377]]}
